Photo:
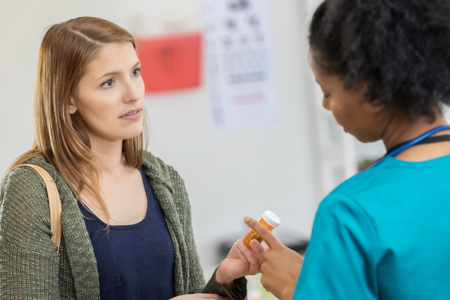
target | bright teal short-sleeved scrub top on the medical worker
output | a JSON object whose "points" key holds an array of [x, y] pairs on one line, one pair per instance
{"points": [[382, 234]]}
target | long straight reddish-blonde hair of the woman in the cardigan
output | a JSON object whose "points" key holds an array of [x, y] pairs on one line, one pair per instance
{"points": [[66, 50]]}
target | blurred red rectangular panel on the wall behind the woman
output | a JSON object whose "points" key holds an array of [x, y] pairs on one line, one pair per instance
{"points": [[170, 62]]}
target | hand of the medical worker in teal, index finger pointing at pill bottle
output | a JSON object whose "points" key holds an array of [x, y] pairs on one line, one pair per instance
{"points": [[280, 266]]}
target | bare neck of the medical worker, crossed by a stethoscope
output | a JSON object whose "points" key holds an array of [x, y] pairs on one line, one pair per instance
{"points": [[400, 129]]}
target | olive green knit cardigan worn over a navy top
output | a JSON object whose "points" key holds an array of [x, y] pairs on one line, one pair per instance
{"points": [[30, 268]]}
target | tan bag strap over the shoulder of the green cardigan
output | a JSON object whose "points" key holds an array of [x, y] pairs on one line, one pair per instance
{"points": [[54, 203]]}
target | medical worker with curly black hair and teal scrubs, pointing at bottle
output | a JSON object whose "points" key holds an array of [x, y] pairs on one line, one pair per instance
{"points": [[384, 69]]}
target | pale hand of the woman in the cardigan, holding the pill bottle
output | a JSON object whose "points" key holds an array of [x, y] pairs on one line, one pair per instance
{"points": [[239, 262]]}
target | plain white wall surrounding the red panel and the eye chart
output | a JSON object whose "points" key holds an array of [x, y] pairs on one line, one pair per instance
{"points": [[228, 175]]}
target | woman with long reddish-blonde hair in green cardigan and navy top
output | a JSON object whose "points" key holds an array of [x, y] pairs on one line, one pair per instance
{"points": [[126, 219]]}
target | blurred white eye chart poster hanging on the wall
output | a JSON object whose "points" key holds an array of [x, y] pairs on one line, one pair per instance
{"points": [[239, 63]]}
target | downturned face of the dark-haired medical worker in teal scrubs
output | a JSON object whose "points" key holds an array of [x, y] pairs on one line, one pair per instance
{"points": [[362, 119]]}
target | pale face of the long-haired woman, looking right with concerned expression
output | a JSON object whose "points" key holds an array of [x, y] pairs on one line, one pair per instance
{"points": [[109, 98]]}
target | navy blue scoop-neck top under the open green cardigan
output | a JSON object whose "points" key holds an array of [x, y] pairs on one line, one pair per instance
{"points": [[134, 261]]}
